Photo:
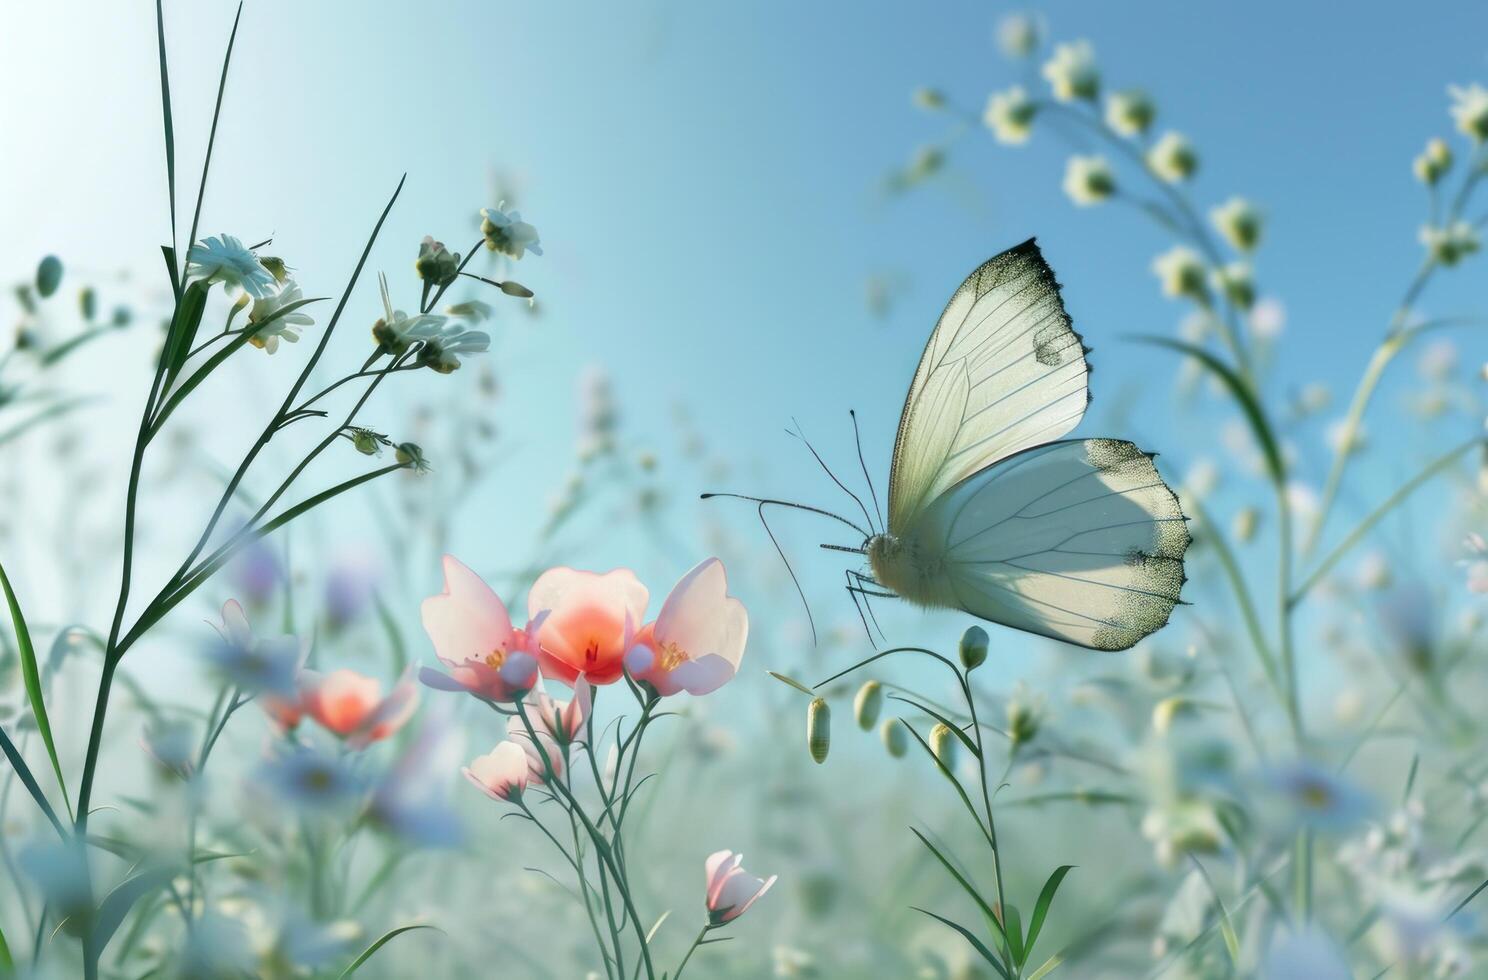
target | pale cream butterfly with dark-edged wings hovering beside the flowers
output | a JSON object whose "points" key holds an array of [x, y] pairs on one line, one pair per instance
{"points": [[990, 511]]}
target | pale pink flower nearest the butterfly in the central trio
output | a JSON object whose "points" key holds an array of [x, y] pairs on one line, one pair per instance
{"points": [[699, 640]]}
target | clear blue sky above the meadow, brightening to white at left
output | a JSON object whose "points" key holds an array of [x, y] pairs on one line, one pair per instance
{"points": [[708, 184]]}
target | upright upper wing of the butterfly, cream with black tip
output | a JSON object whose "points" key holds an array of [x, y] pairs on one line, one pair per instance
{"points": [[1004, 373]]}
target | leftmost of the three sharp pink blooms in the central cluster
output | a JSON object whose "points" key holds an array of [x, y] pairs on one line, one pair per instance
{"points": [[474, 637]]}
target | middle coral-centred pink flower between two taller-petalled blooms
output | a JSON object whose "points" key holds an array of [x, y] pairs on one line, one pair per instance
{"points": [[591, 622]]}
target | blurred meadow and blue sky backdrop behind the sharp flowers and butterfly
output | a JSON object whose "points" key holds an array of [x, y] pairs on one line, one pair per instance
{"points": [[751, 218]]}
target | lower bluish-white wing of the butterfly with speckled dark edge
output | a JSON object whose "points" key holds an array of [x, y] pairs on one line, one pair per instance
{"points": [[1078, 541]]}
